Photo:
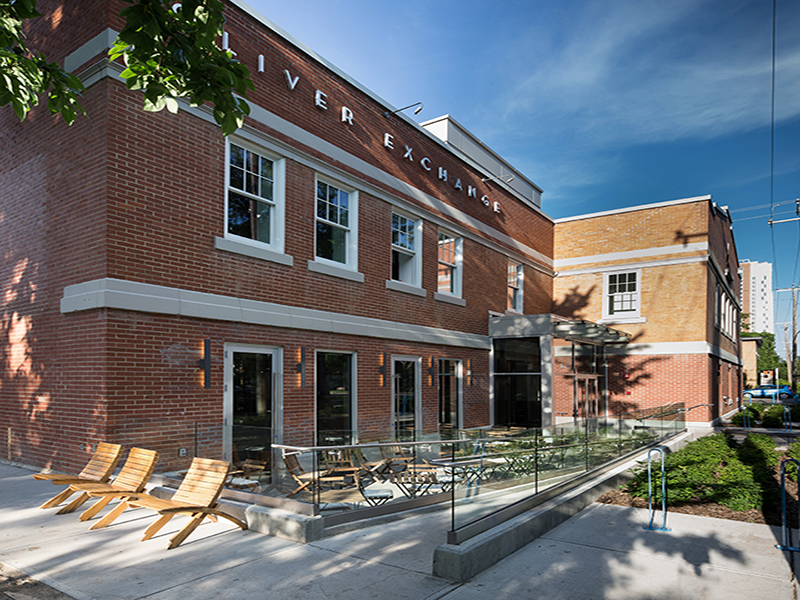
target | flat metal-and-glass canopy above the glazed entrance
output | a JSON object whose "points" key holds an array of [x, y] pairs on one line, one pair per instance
{"points": [[585, 332]]}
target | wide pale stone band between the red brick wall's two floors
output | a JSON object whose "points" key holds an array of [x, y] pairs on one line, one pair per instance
{"points": [[145, 297]]}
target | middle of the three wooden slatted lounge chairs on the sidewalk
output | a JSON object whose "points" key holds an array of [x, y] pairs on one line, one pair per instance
{"points": [[132, 478]]}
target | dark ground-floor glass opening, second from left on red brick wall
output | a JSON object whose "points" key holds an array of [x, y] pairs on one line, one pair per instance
{"points": [[334, 398]]}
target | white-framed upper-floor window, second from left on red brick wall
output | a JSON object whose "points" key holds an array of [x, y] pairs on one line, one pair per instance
{"points": [[335, 238]]}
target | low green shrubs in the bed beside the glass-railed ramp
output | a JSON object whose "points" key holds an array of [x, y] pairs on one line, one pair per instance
{"points": [[713, 469]]}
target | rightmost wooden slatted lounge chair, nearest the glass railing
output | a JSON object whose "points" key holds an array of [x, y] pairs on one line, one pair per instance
{"points": [[196, 496]]}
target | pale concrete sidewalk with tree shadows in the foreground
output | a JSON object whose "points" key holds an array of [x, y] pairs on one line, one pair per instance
{"points": [[603, 552]]}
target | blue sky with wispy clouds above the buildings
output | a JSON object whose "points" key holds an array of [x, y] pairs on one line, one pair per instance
{"points": [[604, 103]]}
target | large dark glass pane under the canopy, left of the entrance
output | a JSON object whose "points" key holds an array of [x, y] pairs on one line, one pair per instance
{"points": [[518, 382]]}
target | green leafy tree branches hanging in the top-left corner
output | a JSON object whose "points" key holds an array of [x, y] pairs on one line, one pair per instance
{"points": [[170, 52]]}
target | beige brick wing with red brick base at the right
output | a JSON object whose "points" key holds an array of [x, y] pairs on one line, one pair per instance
{"points": [[665, 274]]}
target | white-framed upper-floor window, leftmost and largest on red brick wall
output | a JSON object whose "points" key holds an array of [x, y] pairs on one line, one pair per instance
{"points": [[254, 211]]}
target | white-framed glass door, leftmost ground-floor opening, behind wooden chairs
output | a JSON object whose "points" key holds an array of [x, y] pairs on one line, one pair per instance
{"points": [[250, 389]]}
